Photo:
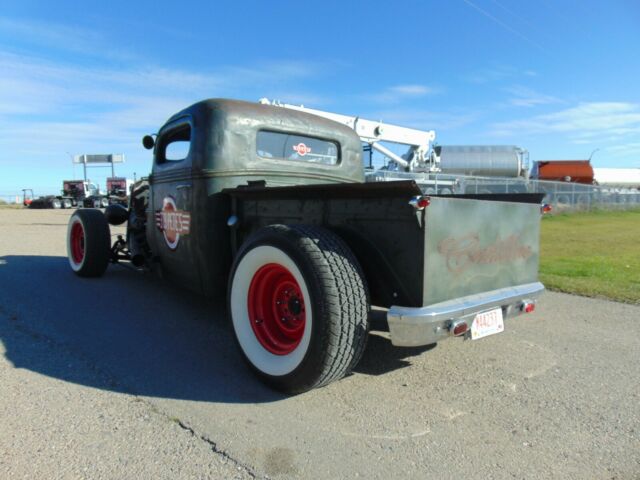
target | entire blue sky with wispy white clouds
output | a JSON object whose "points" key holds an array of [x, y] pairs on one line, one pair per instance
{"points": [[559, 78]]}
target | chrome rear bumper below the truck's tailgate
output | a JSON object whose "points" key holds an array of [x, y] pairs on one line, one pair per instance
{"points": [[411, 327]]}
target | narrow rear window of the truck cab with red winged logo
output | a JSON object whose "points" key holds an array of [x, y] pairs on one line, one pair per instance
{"points": [[288, 146]]}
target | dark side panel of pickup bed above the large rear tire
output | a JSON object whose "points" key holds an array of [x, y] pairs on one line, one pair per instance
{"points": [[375, 220]]}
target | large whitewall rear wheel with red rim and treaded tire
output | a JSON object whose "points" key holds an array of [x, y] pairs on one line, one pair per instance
{"points": [[299, 306]]}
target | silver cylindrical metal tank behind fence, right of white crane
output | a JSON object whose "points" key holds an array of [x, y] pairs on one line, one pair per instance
{"points": [[483, 160]]}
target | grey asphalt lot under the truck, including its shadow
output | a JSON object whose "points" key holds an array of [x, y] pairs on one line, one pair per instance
{"points": [[130, 377]]}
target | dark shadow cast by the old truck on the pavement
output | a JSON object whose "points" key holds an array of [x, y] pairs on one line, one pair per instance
{"points": [[149, 337]]}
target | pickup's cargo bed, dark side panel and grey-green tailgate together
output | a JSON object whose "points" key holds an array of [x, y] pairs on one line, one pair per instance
{"points": [[457, 246]]}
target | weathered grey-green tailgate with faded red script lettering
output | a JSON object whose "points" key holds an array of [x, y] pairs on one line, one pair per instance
{"points": [[474, 246]]}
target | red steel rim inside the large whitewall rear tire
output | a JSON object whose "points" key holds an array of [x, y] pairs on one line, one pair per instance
{"points": [[276, 309]]}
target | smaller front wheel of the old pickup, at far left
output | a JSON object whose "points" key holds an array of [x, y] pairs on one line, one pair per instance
{"points": [[88, 243]]}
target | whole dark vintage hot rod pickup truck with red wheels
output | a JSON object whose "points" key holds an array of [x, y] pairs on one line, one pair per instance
{"points": [[269, 209]]}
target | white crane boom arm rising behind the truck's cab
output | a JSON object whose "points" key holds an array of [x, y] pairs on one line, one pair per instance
{"points": [[419, 157]]}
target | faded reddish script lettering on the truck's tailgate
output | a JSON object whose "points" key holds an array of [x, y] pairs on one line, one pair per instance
{"points": [[463, 252]]}
